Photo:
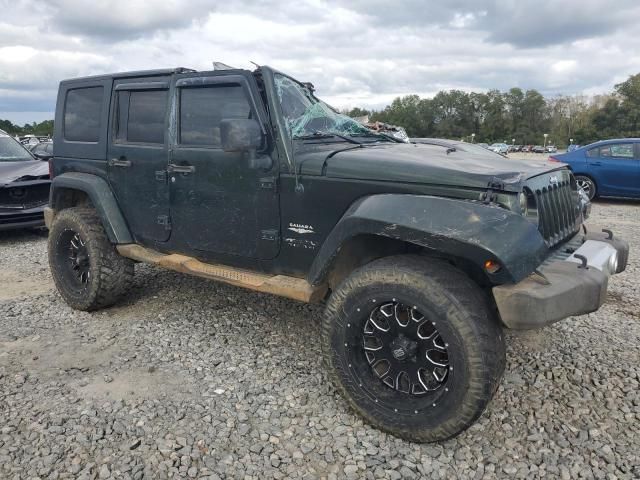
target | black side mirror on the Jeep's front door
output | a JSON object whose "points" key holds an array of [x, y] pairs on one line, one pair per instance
{"points": [[244, 135]]}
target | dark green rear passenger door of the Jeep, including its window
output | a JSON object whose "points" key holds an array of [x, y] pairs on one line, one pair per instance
{"points": [[137, 156]]}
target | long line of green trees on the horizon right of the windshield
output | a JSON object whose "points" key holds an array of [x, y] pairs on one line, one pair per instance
{"points": [[521, 117]]}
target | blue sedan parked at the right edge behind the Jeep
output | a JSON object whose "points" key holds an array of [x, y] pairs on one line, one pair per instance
{"points": [[610, 168]]}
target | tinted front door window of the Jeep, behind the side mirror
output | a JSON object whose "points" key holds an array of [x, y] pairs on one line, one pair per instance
{"points": [[202, 109]]}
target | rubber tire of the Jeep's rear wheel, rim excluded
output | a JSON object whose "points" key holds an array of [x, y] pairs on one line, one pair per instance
{"points": [[110, 273]]}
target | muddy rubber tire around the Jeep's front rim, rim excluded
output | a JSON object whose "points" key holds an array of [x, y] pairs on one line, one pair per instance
{"points": [[474, 339]]}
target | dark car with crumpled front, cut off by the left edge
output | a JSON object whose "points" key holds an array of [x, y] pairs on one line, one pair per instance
{"points": [[24, 186]]}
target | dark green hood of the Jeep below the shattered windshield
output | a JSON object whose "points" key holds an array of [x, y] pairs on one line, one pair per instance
{"points": [[425, 164]]}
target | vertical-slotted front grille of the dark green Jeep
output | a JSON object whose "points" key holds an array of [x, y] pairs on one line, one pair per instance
{"points": [[558, 211]]}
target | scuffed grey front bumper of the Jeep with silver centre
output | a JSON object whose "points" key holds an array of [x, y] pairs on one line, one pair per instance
{"points": [[563, 288]]}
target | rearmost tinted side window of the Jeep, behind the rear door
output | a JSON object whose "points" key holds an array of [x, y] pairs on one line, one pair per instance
{"points": [[82, 113]]}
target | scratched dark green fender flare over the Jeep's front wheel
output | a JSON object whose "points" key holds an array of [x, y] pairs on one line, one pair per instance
{"points": [[465, 233]]}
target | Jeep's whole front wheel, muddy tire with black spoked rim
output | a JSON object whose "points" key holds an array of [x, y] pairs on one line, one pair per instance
{"points": [[412, 345]]}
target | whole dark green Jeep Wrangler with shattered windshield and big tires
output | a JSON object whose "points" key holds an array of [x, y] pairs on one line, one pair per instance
{"points": [[422, 253]]}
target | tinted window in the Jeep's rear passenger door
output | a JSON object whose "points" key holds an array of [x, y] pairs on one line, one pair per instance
{"points": [[147, 111]]}
